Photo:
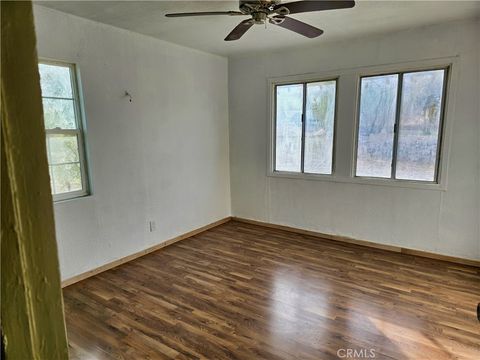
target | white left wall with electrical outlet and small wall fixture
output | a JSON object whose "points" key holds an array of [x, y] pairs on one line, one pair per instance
{"points": [[163, 157]]}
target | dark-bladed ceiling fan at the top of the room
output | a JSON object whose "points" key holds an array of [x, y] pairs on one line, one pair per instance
{"points": [[272, 11]]}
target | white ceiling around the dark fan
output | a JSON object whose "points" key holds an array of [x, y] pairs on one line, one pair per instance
{"points": [[207, 32]]}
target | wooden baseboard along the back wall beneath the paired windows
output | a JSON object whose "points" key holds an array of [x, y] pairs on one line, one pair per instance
{"points": [[399, 249]]}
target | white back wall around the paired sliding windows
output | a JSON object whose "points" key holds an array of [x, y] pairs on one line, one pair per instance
{"points": [[445, 222]]}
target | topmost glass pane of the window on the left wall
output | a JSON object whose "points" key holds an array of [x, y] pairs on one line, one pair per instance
{"points": [[55, 81]]}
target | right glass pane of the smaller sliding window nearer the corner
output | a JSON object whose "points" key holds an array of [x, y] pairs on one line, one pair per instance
{"points": [[319, 127]]}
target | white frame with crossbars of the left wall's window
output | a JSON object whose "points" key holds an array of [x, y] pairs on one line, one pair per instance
{"points": [[80, 130]]}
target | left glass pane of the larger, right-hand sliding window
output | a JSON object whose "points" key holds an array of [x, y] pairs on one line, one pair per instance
{"points": [[376, 128]]}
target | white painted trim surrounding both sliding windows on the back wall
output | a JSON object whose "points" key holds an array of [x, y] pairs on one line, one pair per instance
{"points": [[346, 85]]}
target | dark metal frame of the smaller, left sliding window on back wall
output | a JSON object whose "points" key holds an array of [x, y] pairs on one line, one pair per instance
{"points": [[304, 84]]}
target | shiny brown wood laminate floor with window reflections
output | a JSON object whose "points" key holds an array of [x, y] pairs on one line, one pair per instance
{"points": [[242, 291]]}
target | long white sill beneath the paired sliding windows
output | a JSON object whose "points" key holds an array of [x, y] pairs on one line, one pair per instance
{"points": [[408, 184]]}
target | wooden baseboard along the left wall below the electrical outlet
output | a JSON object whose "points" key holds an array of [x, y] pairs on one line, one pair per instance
{"points": [[128, 258]]}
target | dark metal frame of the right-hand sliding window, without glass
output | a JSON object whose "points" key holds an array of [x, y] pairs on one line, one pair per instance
{"points": [[441, 127]]}
